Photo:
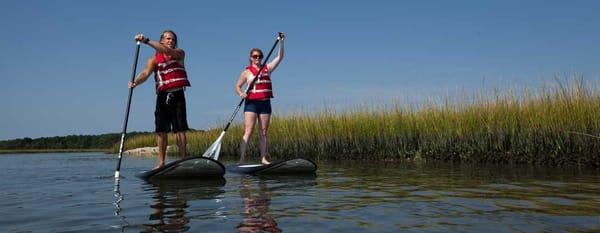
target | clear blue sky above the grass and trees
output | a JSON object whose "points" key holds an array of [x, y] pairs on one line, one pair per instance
{"points": [[66, 64]]}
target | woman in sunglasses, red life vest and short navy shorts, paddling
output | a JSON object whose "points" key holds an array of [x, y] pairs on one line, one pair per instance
{"points": [[257, 105]]}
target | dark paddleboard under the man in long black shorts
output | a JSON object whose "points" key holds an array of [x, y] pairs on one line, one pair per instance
{"points": [[191, 167]]}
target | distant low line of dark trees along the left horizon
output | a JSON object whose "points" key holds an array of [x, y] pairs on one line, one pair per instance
{"points": [[103, 141]]}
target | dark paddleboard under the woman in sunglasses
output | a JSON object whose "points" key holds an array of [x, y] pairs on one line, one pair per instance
{"points": [[286, 167]]}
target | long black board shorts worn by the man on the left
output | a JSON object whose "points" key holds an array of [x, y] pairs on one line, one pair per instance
{"points": [[170, 113]]}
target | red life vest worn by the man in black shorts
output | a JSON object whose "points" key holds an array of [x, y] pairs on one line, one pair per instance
{"points": [[169, 74]]}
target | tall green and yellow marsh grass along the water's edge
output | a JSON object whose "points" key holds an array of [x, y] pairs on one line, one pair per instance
{"points": [[545, 126]]}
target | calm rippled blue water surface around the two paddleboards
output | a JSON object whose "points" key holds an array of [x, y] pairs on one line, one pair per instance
{"points": [[76, 193]]}
